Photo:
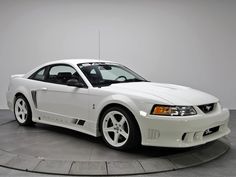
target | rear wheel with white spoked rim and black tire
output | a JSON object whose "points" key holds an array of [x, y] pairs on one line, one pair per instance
{"points": [[22, 111]]}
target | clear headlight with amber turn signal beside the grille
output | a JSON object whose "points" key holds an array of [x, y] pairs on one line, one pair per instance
{"points": [[165, 110]]}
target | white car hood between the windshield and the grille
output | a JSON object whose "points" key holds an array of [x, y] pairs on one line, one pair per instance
{"points": [[172, 94]]}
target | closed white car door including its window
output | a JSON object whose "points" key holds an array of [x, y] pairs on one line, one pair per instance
{"points": [[58, 103]]}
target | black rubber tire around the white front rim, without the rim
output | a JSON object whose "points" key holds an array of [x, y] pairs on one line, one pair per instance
{"points": [[134, 136]]}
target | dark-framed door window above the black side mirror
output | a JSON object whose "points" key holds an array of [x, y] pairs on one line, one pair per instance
{"points": [[60, 74]]}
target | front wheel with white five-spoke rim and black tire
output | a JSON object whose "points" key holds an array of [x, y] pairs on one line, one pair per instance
{"points": [[119, 130]]}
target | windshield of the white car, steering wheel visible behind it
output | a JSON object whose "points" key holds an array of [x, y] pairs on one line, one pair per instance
{"points": [[104, 74]]}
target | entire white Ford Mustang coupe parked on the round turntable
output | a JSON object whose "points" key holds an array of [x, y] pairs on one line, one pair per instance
{"points": [[103, 98]]}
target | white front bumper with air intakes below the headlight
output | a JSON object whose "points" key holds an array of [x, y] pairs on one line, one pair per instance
{"points": [[185, 131]]}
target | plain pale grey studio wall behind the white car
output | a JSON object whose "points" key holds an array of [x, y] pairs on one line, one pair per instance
{"points": [[187, 42]]}
